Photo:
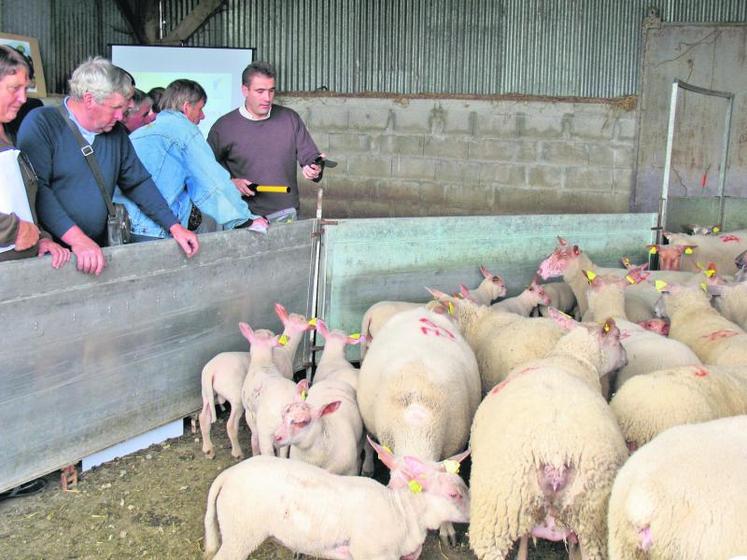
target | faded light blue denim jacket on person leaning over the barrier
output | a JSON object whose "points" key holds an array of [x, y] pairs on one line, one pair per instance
{"points": [[184, 169]]}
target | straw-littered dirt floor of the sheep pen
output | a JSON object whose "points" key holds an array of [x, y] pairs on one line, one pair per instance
{"points": [[149, 505]]}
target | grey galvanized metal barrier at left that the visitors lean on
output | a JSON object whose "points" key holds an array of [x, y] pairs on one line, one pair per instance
{"points": [[89, 362]]}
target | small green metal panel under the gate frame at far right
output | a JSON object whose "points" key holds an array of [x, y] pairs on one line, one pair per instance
{"points": [[704, 211]]}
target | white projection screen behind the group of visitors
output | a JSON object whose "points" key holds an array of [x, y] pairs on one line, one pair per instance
{"points": [[217, 70]]}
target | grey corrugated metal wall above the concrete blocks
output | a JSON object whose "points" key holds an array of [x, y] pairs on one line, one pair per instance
{"points": [[587, 48]]}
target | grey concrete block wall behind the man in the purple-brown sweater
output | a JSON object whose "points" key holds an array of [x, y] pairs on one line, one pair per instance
{"points": [[431, 157]]}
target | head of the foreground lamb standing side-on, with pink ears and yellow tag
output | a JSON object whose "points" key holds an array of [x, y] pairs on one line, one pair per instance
{"points": [[440, 481]]}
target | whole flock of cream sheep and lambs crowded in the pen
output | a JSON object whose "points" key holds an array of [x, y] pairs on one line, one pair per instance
{"points": [[624, 435]]}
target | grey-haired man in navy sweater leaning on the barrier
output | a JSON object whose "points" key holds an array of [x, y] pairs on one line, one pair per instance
{"points": [[70, 204]]}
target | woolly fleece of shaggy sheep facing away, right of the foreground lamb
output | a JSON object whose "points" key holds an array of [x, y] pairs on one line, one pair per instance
{"points": [[542, 416]]}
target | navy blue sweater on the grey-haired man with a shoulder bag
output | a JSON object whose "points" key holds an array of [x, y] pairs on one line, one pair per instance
{"points": [[68, 194]]}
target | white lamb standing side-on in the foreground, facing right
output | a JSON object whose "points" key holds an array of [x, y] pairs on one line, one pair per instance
{"points": [[325, 515]]}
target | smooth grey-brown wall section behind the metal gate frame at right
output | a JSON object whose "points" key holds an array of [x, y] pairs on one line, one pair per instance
{"points": [[708, 56]]}
